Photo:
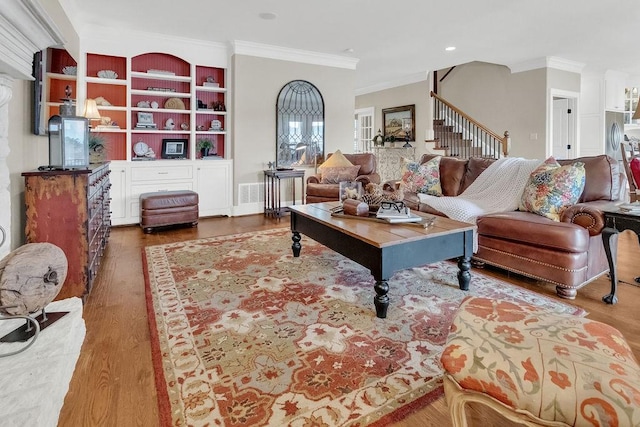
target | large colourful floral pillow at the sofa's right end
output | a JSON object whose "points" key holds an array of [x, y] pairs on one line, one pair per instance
{"points": [[553, 188]]}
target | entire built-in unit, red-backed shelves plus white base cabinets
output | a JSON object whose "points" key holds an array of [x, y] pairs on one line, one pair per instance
{"points": [[160, 89]]}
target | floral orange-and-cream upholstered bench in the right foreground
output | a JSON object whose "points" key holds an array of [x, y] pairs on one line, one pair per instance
{"points": [[539, 368]]}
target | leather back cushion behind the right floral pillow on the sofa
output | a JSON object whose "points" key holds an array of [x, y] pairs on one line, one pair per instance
{"points": [[601, 177]]}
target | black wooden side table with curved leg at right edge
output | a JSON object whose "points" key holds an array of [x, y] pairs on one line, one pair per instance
{"points": [[615, 222]]}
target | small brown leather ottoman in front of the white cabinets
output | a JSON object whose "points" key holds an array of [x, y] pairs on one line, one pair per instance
{"points": [[164, 208]]}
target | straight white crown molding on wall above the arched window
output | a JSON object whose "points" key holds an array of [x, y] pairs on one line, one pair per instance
{"points": [[294, 55]]}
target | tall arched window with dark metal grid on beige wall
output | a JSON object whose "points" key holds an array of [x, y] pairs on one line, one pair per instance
{"points": [[299, 125]]}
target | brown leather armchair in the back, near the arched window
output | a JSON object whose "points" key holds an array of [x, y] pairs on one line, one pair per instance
{"points": [[318, 192]]}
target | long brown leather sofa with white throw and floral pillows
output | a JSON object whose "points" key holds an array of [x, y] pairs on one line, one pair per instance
{"points": [[569, 253]]}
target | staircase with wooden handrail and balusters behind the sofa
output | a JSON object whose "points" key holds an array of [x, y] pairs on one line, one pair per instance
{"points": [[459, 135]]}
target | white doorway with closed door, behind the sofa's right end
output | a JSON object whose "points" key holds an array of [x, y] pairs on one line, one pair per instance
{"points": [[564, 126]]}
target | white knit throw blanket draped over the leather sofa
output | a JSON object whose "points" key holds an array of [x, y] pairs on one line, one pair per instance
{"points": [[497, 189]]}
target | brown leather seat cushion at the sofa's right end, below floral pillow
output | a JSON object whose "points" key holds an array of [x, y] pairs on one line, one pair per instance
{"points": [[535, 230]]}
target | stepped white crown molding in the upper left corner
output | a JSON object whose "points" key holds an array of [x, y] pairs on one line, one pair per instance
{"points": [[25, 28]]}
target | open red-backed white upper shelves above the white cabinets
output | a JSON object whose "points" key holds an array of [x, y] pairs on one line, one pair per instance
{"points": [[156, 96]]}
